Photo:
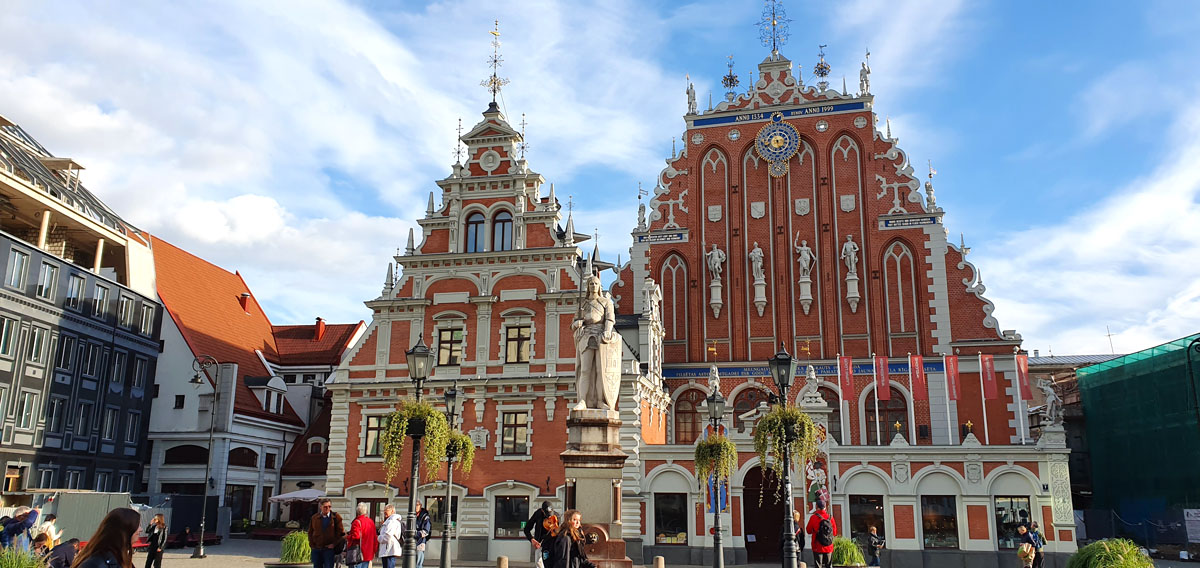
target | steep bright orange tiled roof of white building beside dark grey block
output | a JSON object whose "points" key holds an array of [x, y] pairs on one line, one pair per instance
{"points": [[203, 301]]}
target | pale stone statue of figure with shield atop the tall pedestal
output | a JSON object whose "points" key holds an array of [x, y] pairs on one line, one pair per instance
{"points": [[597, 350]]}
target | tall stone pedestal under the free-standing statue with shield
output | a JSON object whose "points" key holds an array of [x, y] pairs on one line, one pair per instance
{"points": [[593, 462]]}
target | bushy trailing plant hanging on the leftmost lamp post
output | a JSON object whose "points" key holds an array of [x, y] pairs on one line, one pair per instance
{"points": [[434, 445]]}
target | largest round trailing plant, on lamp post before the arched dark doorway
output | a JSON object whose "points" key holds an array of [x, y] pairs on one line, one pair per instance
{"points": [[785, 431]]}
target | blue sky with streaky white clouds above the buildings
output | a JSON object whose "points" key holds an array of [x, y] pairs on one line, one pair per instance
{"points": [[297, 142]]}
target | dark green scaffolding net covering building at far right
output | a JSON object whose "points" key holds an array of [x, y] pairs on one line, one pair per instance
{"points": [[1143, 428]]}
